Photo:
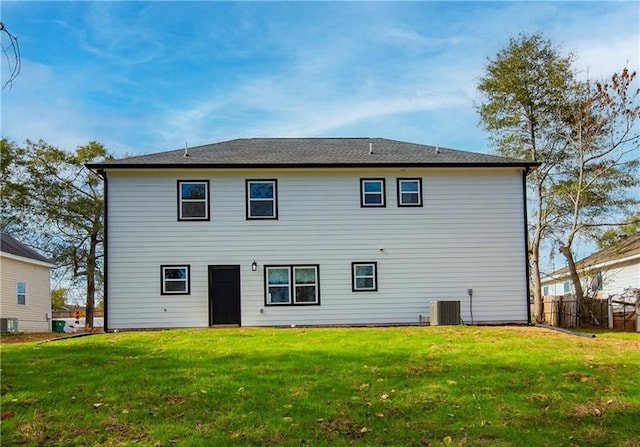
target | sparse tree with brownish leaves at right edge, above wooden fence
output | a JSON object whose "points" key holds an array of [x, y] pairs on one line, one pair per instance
{"points": [[593, 186]]}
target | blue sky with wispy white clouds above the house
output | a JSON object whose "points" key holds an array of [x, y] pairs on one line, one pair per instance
{"points": [[144, 77]]}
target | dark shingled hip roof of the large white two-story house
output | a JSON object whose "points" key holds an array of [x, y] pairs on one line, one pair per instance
{"points": [[312, 152]]}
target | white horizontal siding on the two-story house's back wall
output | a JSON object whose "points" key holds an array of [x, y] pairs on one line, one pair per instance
{"points": [[471, 235]]}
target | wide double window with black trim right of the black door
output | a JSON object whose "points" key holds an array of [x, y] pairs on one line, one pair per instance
{"points": [[292, 285]]}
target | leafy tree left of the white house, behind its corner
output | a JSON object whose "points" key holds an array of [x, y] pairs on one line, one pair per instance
{"points": [[49, 194]]}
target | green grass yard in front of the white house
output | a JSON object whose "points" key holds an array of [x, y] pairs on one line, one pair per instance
{"points": [[411, 386]]}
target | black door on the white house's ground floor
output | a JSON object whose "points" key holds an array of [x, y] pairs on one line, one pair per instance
{"points": [[224, 294]]}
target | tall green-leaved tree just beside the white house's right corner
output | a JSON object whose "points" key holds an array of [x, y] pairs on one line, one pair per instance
{"points": [[525, 92]]}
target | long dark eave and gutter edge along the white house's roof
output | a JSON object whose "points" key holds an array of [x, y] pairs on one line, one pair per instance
{"points": [[106, 166]]}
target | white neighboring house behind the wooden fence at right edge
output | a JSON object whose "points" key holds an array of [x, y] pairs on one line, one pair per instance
{"points": [[604, 273]]}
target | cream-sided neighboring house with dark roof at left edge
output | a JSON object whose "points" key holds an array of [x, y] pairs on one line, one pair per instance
{"points": [[25, 277]]}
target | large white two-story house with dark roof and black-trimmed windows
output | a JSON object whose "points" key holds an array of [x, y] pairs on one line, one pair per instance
{"points": [[313, 231]]}
